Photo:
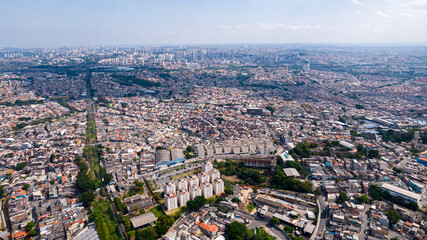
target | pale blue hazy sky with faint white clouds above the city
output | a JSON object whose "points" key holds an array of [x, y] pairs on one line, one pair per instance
{"points": [[54, 23]]}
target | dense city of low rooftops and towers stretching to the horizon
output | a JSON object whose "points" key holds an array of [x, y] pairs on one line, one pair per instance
{"points": [[213, 142]]}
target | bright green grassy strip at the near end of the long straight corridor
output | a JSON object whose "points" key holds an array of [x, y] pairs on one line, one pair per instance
{"points": [[104, 221]]}
